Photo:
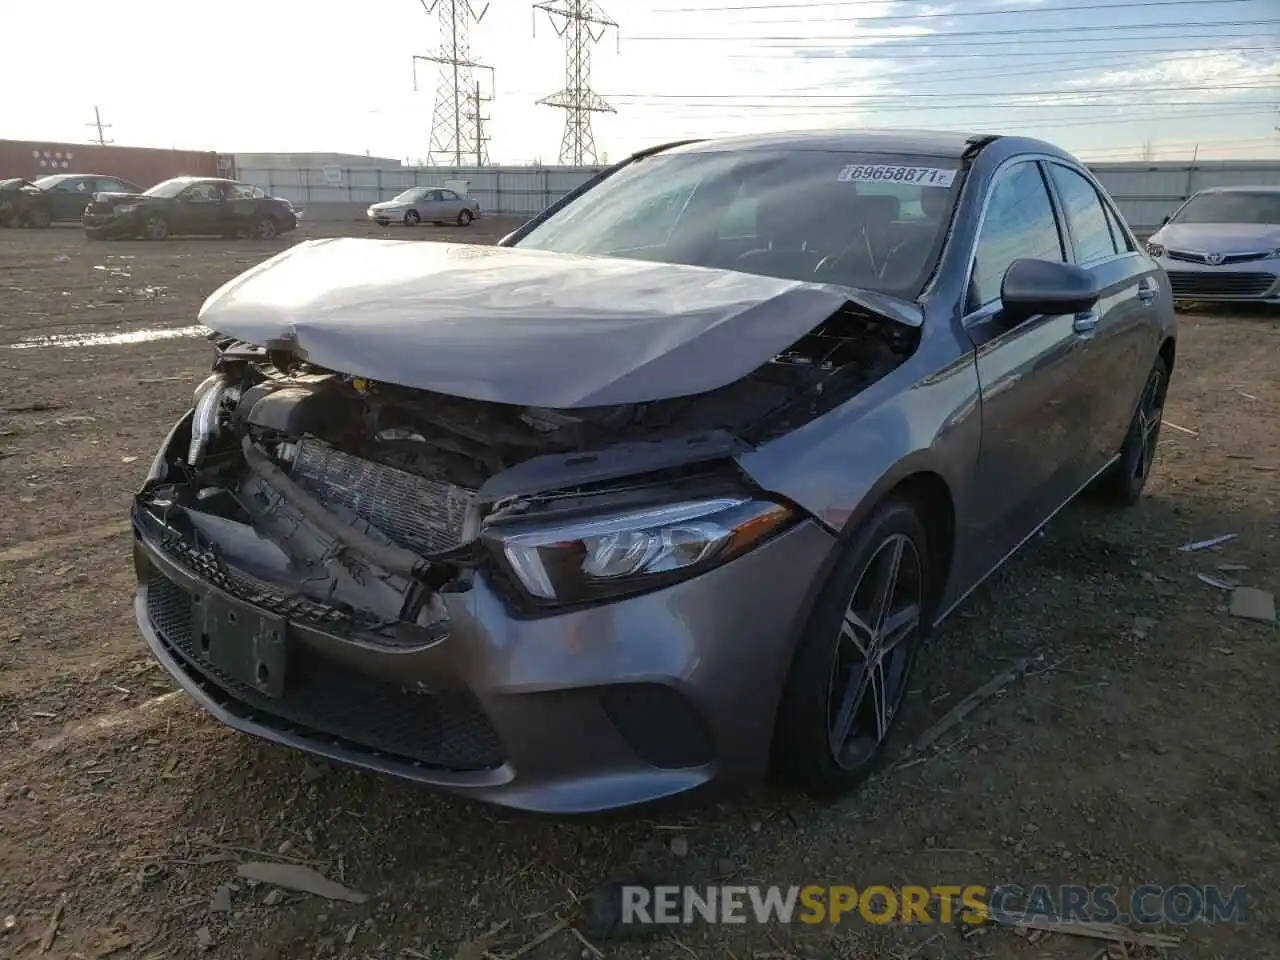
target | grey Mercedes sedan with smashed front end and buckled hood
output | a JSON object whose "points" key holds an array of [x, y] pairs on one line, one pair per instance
{"points": [[670, 483]]}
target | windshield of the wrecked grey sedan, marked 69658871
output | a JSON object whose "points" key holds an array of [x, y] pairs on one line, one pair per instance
{"points": [[852, 220]]}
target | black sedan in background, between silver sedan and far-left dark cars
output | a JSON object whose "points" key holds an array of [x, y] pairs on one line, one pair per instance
{"points": [[190, 205]]}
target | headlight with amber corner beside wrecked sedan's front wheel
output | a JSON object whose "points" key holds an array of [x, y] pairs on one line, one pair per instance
{"points": [[639, 550]]}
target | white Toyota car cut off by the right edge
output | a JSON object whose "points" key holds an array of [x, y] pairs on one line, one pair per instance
{"points": [[1223, 245]]}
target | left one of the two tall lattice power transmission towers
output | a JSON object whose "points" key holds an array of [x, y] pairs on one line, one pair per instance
{"points": [[455, 131]]}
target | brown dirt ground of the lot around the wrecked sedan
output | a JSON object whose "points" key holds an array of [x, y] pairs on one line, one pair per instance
{"points": [[1142, 747]]}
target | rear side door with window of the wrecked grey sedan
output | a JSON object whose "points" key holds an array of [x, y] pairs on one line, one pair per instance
{"points": [[1118, 353]]}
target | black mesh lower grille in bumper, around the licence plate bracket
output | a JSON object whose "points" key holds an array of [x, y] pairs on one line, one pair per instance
{"points": [[322, 701]]}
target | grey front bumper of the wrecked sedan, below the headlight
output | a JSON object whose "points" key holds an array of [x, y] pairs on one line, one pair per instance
{"points": [[592, 710]]}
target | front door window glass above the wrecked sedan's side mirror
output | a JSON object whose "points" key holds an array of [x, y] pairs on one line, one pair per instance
{"points": [[1020, 225]]}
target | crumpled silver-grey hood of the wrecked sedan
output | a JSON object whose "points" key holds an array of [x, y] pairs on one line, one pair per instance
{"points": [[523, 327]]}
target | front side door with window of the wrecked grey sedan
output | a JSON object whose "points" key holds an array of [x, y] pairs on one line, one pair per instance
{"points": [[1035, 413]]}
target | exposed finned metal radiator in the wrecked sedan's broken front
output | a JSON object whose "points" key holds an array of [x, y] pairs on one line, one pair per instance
{"points": [[426, 516]]}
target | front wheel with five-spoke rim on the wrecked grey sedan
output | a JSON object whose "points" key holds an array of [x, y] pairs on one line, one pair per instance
{"points": [[831, 664]]}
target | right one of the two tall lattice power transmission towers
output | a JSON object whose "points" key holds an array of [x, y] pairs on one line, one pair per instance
{"points": [[582, 24]]}
